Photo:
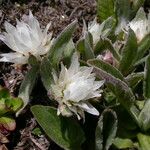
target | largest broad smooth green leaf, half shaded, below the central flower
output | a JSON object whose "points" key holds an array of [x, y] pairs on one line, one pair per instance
{"points": [[65, 132]]}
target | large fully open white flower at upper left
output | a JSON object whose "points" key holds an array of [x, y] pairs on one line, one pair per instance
{"points": [[25, 39]]}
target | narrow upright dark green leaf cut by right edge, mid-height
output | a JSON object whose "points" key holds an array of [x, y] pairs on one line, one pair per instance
{"points": [[146, 86]]}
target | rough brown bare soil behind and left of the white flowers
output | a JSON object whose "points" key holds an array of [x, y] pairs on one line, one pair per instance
{"points": [[60, 13]]}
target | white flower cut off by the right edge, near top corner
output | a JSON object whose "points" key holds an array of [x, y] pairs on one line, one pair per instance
{"points": [[140, 24]]}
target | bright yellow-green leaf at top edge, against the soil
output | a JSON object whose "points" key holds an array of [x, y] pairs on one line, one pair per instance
{"points": [[105, 9]]}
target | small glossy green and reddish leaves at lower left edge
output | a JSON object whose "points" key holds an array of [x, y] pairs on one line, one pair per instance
{"points": [[8, 107]]}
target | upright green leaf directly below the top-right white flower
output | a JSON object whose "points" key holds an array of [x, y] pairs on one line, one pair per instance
{"points": [[129, 53]]}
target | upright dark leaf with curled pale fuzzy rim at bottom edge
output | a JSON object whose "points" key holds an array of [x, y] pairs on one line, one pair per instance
{"points": [[106, 130]]}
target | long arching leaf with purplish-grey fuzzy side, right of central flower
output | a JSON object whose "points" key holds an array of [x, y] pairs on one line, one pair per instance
{"points": [[121, 89]]}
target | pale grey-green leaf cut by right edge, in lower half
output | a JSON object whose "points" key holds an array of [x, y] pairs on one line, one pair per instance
{"points": [[144, 117]]}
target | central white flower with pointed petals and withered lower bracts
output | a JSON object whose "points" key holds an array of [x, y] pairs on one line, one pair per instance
{"points": [[74, 87]]}
